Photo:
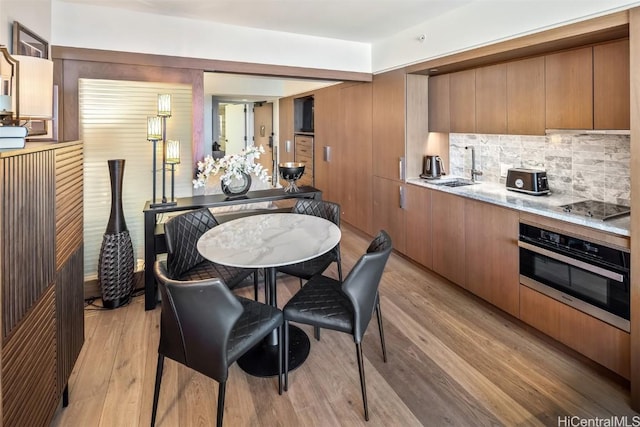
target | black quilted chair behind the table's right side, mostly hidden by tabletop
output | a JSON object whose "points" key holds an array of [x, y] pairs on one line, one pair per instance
{"points": [[307, 269]]}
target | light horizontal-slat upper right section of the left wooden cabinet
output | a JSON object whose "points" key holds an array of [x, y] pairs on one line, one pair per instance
{"points": [[69, 209]]}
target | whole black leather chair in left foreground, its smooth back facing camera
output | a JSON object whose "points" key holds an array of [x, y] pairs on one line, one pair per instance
{"points": [[205, 327]]}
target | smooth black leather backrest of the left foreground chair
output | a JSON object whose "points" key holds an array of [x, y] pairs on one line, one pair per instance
{"points": [[196, 322]]}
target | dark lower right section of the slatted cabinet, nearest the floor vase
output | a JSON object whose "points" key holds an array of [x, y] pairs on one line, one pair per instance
{"points": [[69, 315]]}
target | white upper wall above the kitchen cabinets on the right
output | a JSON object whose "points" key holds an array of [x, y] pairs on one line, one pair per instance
{"points": [[482, 23]]}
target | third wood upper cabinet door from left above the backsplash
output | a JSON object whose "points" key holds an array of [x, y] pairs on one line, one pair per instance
{"points": [[491, 99]]}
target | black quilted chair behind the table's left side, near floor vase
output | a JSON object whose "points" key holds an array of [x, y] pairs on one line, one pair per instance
{"points": [[184, 262]]}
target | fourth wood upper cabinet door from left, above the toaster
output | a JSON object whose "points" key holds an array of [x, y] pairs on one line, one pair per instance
{"points": [[525, 97]]}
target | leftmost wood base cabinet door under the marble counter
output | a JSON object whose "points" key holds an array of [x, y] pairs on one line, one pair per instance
{"points": [[417, 205]]}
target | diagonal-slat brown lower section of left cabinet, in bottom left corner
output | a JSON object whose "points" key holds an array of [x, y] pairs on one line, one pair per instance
{"points": [[29, 380]]}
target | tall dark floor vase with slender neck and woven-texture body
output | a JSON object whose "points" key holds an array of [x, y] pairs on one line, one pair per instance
{"points": [[116, 262]]}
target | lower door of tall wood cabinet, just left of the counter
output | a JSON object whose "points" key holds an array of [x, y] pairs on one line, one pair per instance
{"points": [[388, 213]]}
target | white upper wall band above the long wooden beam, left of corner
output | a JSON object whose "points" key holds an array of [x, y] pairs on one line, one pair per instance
{"points": [[107, 28]]}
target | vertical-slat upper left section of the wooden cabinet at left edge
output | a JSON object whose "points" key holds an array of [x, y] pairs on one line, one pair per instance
{"points": [[28, 233]]}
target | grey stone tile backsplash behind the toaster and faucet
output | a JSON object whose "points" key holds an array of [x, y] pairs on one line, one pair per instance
{"points": [[582, 166]]}
